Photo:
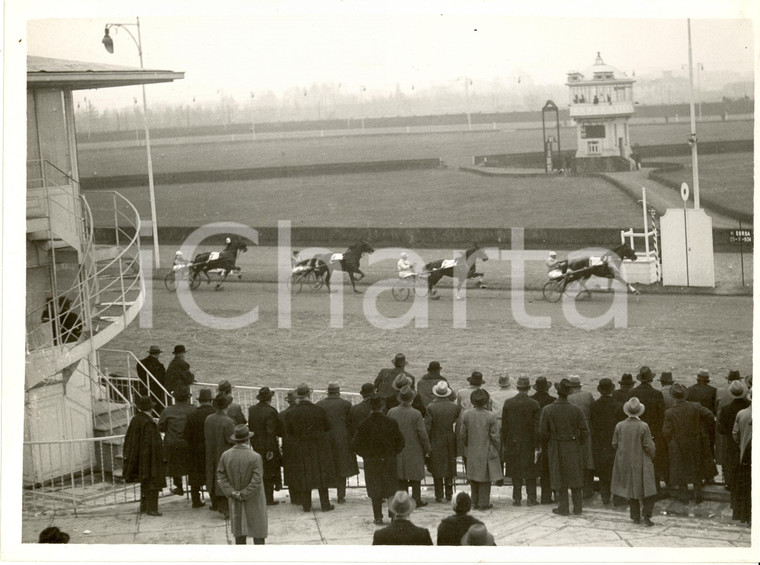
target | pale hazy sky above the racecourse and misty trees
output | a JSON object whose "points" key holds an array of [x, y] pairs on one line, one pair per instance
{"points": [[391, 44]]}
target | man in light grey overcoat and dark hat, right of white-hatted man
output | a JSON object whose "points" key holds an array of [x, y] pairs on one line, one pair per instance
{"points": [[479, 432]]}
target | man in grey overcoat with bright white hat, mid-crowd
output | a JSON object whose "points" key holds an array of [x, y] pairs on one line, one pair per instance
{"points": [[440, 421]]}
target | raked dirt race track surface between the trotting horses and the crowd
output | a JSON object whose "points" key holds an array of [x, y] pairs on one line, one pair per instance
{"points": [[668, 332]]}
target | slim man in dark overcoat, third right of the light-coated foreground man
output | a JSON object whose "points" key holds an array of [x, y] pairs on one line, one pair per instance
{"points": [[344, 459]]}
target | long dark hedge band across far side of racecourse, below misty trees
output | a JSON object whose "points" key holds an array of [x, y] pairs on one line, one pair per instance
{"points": [[728, 107]]}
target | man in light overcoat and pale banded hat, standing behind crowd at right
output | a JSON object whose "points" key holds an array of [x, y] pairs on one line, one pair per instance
{"points": [[633, 470]]}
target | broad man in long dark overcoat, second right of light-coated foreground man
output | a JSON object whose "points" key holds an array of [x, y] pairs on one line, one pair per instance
{"points": [[308, 425]]}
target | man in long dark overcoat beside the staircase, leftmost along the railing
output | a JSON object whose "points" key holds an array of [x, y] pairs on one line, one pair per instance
{"points": [[144, 457]]}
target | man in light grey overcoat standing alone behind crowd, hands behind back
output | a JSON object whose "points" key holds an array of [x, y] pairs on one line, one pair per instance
{"points": [[239, 475]]}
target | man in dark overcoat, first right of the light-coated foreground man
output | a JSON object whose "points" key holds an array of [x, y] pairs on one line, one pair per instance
{"points": [[264, 424]]}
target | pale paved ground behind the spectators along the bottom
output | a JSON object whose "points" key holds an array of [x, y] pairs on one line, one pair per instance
{"points": [[705, 525]]}
